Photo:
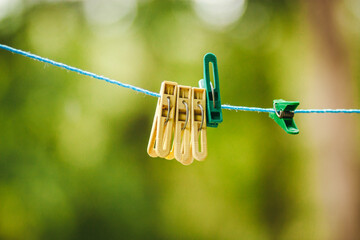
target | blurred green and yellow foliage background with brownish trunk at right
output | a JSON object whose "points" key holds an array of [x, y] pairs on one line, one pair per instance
{"points": [[73, 161]]}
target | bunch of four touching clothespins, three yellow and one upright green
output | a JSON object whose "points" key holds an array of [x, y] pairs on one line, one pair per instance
{"points": [[182, 115]]}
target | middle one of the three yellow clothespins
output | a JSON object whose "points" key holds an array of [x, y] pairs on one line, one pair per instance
{"points": [[182, 135]]}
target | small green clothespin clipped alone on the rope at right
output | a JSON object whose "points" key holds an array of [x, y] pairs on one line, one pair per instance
{"points": [[284, 115]]}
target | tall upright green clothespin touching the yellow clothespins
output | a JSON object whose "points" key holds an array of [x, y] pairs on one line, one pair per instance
{"points": [[213, 100]]}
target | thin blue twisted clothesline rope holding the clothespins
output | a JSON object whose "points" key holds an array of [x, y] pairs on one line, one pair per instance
{"points": [[153, 94]]}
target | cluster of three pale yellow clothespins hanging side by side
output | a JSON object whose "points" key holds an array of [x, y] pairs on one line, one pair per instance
{"points": [[179, 126]]}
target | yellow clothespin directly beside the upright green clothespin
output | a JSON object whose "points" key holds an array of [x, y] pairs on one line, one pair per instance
{"points": [[198, 124]]}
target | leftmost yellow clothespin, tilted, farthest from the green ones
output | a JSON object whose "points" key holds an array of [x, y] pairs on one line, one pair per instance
{"points": [[163, 125]]}
